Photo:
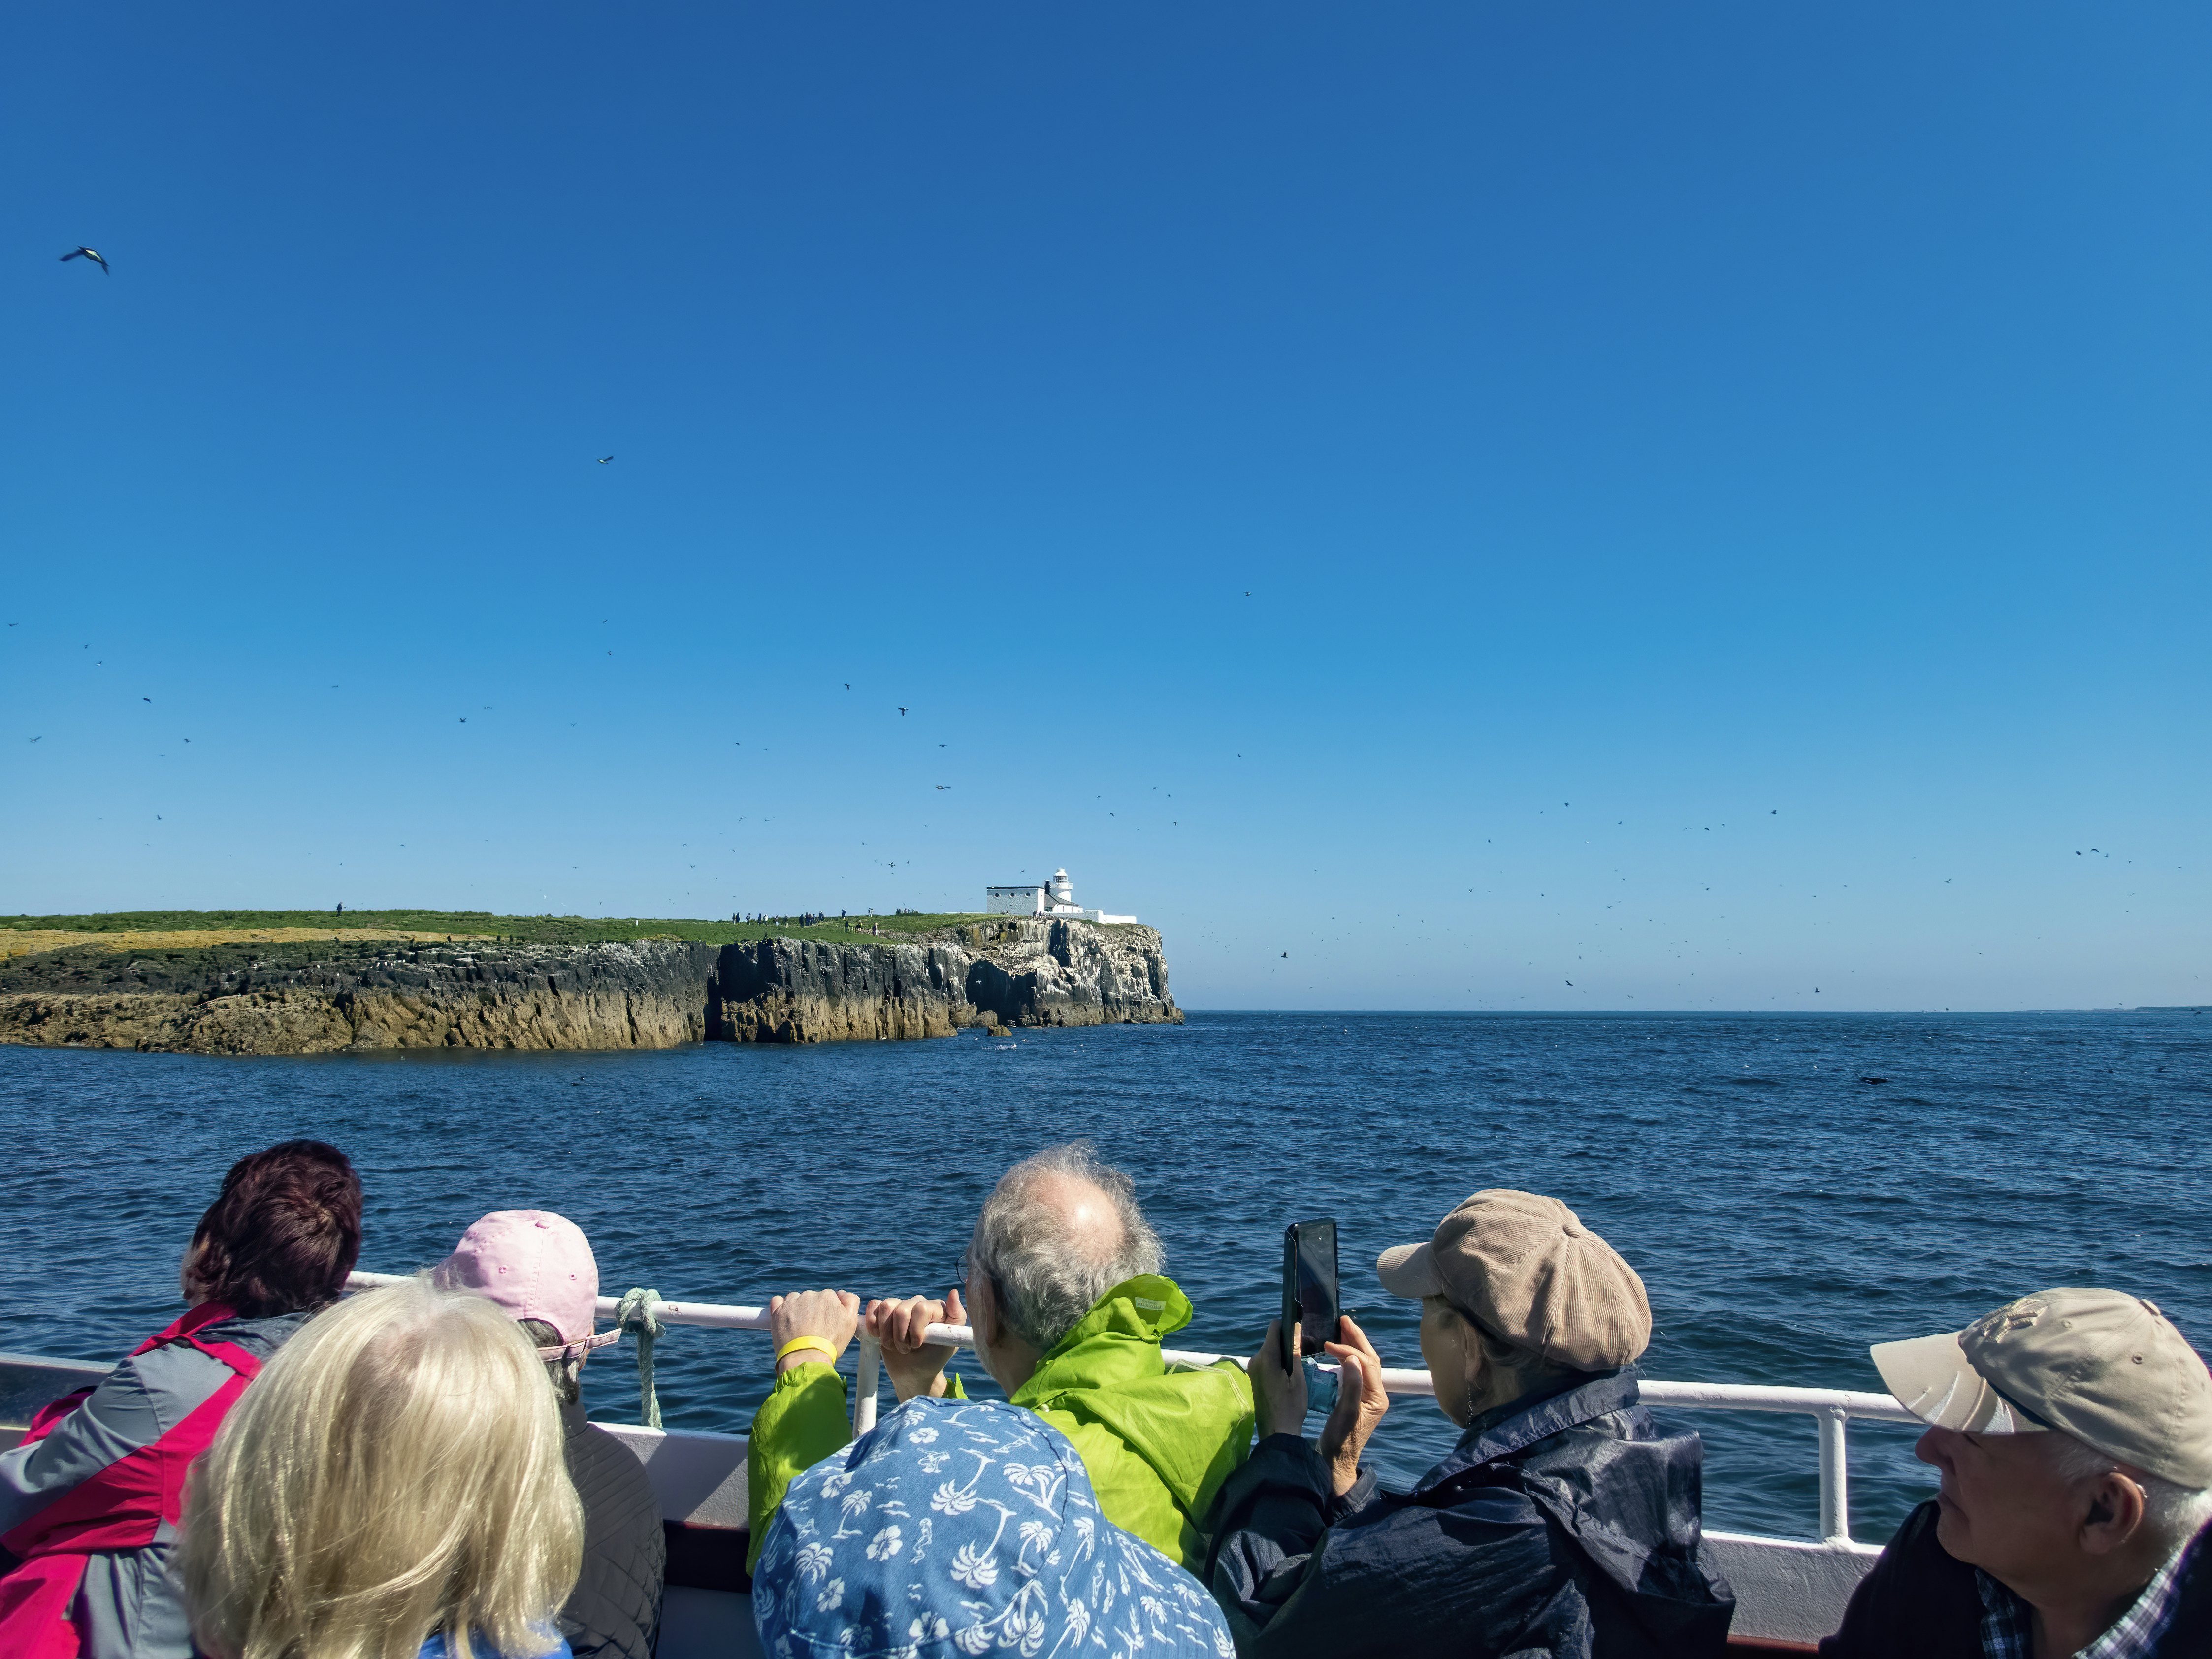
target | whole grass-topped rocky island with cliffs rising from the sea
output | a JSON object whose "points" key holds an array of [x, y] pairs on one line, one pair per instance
{"points": [[300, 983]]}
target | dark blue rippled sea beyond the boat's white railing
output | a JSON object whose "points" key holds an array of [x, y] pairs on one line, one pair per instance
{"points": [[1782, 1211]]}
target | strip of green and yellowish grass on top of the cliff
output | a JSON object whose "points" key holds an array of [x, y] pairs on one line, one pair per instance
{"points": [[528, 930]]}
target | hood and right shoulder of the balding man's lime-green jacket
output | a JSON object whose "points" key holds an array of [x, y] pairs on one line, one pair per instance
{"points": [[1158, 1441]]}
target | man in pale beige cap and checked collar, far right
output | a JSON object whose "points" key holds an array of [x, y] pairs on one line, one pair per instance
{"points": [[2074, 1432]]}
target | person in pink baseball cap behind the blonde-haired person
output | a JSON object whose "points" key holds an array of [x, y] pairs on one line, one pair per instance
{"points": [[541, 1271]]}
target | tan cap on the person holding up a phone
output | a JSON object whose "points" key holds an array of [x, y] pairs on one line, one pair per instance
{"points": [[1527, 1271]]}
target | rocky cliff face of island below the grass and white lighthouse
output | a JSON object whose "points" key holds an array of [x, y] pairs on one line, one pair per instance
{"points": [[348, 994]]}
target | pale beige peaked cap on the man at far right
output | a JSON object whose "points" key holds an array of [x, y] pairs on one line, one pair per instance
{"points": [[2103, 1366]]}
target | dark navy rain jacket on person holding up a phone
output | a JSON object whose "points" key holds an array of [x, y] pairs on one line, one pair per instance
{"points": [[1561, 1525]]}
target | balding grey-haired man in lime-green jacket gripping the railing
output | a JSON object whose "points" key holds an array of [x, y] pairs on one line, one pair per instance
{"points": [[1070, 1302]]}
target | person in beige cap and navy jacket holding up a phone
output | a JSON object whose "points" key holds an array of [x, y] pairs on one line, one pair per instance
{"points": [[1563, 1523]]}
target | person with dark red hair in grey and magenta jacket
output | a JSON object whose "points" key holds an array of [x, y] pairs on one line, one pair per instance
{"points": [[92, 1496]]}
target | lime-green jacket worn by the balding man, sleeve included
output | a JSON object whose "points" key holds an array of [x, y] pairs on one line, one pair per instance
{"points": [[1158, 1441]]}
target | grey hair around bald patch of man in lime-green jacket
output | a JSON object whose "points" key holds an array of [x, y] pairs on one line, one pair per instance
{"points": [[1045, 1277]]}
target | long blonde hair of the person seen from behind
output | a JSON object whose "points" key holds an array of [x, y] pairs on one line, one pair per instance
{"points": [[390, 1488]]}
